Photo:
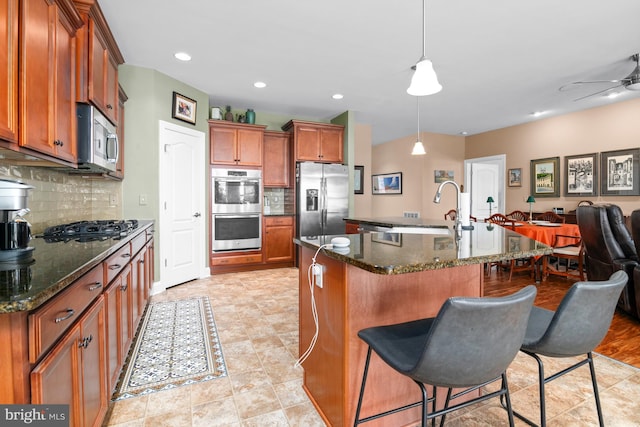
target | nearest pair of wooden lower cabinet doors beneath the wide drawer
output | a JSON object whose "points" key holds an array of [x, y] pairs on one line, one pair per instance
{"points": [[74, 371]]}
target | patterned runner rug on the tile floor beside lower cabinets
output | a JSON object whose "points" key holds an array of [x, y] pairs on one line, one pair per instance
{"points": [[177, 344]]}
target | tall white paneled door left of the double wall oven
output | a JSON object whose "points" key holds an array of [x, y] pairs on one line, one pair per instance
{"points": [[182, 204]]}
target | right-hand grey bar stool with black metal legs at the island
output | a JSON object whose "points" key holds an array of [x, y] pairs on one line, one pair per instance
{"points": [[578, 325]]}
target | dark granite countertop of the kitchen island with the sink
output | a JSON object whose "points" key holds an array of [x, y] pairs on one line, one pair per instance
{"points": [[399, 253]]}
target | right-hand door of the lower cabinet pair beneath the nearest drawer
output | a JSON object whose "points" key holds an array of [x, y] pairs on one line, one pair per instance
{"points": [[94, 367]]}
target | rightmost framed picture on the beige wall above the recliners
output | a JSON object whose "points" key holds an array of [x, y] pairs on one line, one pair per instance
{"points": [[620, 172]]}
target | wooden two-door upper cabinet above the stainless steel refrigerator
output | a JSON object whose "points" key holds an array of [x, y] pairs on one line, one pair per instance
{"points": [[317, 142]]}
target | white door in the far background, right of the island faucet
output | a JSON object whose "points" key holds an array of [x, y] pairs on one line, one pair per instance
{"points": [[484, 178]]}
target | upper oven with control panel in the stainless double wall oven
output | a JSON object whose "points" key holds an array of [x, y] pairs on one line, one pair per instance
{"points": [[236, 190]]}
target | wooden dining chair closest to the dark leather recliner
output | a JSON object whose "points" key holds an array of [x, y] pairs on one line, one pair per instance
{"points": [[569, 248]]}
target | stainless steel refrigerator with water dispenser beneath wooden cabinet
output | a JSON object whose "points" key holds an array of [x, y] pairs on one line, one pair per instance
{"points": [[322, 197]]}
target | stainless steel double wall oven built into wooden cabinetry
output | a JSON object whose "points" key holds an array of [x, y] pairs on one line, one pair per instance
{"points": [[236, 208]]}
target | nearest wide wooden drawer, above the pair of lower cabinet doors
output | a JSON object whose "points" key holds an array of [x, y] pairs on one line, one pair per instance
{"points": [[49, 322]]}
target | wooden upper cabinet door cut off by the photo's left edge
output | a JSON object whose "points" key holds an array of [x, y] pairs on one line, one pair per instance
{"points": [[9, 71]]}
